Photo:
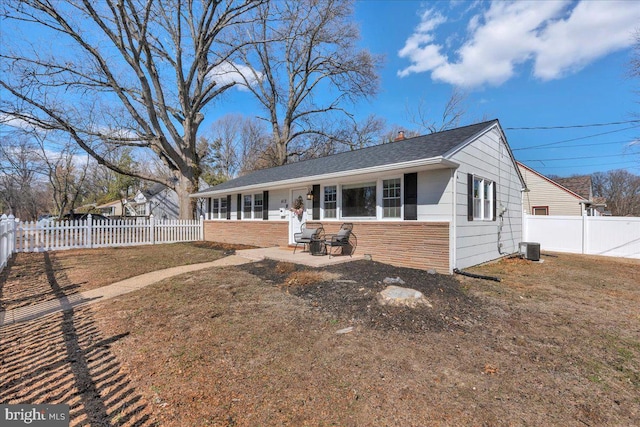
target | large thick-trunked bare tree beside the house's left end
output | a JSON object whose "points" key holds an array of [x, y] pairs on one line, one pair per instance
{"points": [[133, 73]]}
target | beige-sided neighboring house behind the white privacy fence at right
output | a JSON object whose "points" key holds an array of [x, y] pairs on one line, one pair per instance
{"points": [[561, 196]]}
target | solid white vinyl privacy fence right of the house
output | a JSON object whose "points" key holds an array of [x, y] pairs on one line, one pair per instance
{"points": [[593, 235]]}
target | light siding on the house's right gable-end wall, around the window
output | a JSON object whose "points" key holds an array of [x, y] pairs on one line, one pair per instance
{"points": [[477, 241]]}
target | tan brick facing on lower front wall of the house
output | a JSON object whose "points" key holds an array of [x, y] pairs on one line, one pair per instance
{"points": [[422, 245]]}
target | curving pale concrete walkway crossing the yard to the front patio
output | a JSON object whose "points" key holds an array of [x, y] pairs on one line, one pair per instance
{"points": [[36, 311]]}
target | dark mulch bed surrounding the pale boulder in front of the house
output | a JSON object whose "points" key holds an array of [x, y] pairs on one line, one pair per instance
{"points": [[352, 296]]}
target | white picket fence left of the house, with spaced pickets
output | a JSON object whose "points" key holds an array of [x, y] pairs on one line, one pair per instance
{"points": [[19, 236]]}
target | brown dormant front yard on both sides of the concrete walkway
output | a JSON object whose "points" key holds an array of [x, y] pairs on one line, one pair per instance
{"points": [[553, 343]]}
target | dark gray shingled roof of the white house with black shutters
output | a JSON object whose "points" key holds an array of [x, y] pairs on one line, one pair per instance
{"points": [[432, 146]]}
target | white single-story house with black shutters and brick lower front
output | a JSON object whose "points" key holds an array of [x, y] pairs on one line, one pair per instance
{"points": [[442, 201]]}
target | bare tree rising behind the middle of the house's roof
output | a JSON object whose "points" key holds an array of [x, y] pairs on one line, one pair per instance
{"points": [[303, 65]]}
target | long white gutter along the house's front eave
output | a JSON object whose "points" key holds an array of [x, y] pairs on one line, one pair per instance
{"points": [[299, 181]]}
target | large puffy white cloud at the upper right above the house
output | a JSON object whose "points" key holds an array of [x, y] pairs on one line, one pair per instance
{"points": [[559, 37]]}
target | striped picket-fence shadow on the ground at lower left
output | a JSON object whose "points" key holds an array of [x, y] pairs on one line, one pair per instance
{"points": [[65, 359]]}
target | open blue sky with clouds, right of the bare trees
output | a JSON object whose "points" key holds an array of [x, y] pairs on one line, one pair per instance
{"points": [[529, 64]]}
